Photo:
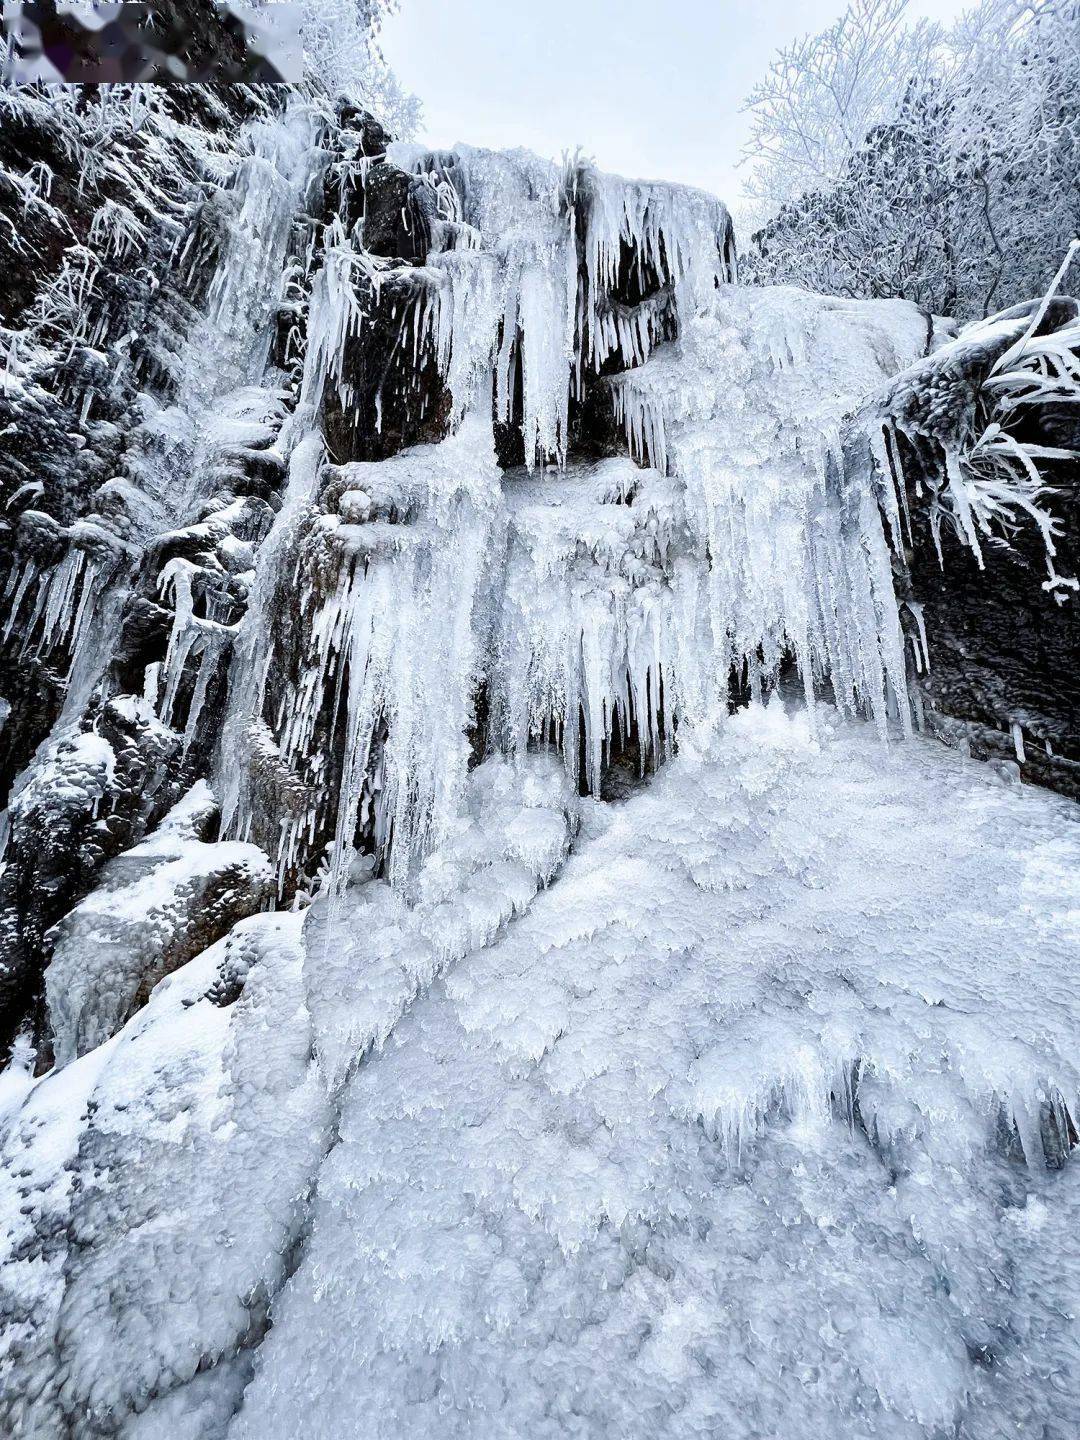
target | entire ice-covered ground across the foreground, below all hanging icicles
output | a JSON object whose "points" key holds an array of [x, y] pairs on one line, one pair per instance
{"points": [[752, 1124]]}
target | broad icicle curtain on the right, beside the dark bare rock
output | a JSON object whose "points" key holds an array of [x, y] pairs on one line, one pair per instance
{"points": [[748, 413]]}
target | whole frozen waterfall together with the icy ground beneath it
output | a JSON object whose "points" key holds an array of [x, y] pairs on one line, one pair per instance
{"points": [[397, 1072]]}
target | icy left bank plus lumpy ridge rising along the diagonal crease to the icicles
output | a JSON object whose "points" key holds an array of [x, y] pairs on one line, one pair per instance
{"points": [[156, 1190]]}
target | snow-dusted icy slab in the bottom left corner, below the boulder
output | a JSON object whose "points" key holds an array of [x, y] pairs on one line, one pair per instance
{"points": [[143, 1228]]}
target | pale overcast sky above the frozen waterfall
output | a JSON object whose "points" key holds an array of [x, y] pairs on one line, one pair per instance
{"points": [[650, 89]]}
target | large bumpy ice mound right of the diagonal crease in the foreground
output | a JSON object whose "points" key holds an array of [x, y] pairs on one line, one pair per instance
{"points": [[728, 1134]]}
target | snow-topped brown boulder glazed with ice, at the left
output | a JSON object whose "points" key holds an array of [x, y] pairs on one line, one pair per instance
{"points": [[156, 908]]}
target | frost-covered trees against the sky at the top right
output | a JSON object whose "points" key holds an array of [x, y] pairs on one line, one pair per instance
{"points": [[964, 192]]}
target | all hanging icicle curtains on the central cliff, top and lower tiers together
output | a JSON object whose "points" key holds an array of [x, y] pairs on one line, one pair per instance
{"points": [[643, 597]]}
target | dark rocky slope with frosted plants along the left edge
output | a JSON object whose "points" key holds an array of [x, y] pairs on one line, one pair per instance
{"points": [[93, 328]]}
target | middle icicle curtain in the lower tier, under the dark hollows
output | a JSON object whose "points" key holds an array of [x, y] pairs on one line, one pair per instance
{"points": [[595, 614]]}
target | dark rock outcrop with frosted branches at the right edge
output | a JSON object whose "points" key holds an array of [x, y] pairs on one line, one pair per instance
{"points": [[1003, 633]]}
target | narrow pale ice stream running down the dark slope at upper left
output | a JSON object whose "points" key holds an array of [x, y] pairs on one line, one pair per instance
{"points": [[78, 604]]}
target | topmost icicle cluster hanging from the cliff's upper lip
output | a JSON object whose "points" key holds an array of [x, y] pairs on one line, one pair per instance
{"points": [[526, 269]]}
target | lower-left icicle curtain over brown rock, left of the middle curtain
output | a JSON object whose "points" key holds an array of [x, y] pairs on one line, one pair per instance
{"points": [[387, 581]]}
